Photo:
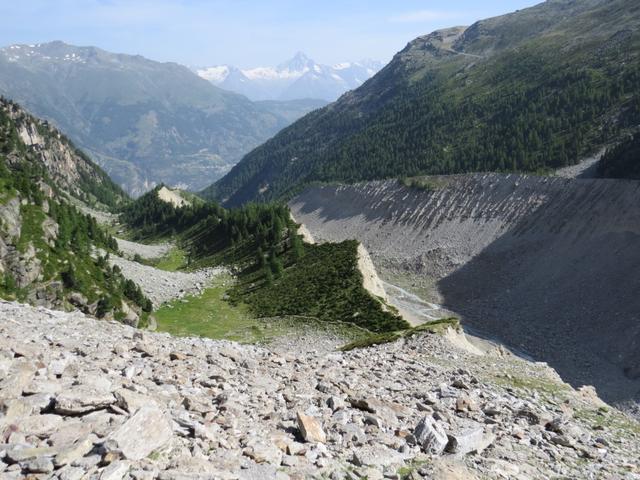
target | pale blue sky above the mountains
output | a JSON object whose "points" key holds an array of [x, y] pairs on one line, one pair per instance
{"points": [[240, 32]]}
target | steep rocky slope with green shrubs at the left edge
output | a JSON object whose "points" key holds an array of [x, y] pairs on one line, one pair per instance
{"points": [[48, 253]]}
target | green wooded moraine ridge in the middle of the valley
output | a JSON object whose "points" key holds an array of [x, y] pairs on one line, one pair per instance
{"points": [[278, 274]]}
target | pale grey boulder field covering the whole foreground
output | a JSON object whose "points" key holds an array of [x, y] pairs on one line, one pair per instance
{"points": [[88, 399]]}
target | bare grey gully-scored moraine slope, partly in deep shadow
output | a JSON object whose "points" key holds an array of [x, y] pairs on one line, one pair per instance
{"points": [[548, 265]]}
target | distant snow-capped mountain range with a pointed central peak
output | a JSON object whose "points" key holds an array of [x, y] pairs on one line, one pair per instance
{"points": [[298, 78]]}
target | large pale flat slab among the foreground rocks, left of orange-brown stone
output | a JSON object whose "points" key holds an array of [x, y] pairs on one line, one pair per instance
{"points": [[147, 430]]}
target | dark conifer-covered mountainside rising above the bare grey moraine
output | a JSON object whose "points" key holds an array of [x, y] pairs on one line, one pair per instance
{"points": [[533, 90]]}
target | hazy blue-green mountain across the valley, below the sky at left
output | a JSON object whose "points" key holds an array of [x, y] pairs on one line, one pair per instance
{"points": [[144, 121]]}
